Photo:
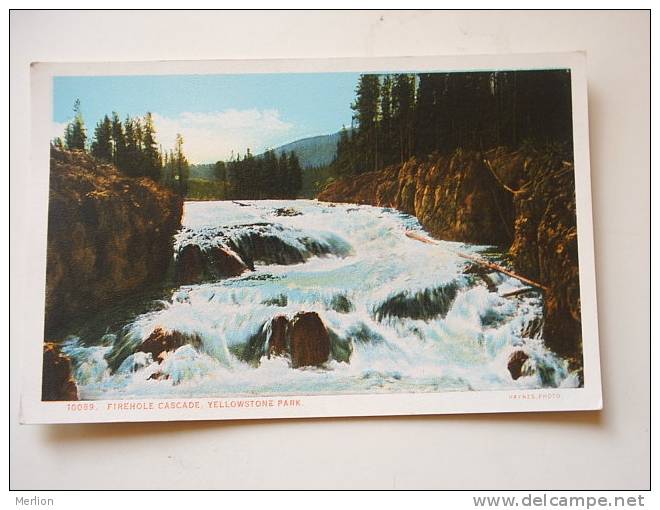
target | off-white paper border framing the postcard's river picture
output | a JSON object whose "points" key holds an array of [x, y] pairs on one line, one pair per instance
{"points": [[33, 410]]}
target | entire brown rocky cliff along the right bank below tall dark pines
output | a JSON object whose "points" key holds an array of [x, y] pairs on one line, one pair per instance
{"points": [[522, 201]]}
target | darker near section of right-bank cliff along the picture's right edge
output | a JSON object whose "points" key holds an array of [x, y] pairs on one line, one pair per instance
{"points": [[545, 246]]}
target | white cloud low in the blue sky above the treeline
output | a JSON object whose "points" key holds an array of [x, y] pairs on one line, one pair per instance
{"points": [[210, 136]]}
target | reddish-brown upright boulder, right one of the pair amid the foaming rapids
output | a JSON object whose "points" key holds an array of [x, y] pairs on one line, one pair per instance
{"points": [[309, 340]]}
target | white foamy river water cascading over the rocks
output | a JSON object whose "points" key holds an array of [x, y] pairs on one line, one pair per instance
{"points": [[360, 273]]}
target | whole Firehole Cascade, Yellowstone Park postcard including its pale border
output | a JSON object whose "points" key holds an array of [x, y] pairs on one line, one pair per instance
{"points": [[308, 238]]}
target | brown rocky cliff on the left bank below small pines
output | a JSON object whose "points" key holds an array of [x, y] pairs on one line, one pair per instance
{"points": [[108, 236]]}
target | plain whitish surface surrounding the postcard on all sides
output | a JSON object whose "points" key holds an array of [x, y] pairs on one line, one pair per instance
{"points": [[608, 449]]}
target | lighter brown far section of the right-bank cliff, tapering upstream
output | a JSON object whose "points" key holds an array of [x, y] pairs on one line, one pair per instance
{"points": [[456, 197]]}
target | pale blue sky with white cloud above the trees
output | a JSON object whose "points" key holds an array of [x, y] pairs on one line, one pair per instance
{"points": [[216, 114]]}
